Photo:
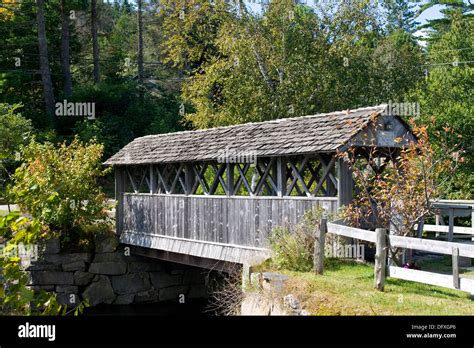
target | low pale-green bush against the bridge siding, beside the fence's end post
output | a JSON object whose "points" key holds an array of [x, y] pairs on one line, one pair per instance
{"points": [[293, 246]]}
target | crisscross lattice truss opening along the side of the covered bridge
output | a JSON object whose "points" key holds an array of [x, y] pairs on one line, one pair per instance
{"points": [[272, 176]]}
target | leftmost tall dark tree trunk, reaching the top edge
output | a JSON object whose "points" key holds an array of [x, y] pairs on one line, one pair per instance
{"points": [[48, 92]]}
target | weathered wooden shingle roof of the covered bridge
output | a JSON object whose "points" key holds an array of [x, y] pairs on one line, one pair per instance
{"points": [[307, 134]]}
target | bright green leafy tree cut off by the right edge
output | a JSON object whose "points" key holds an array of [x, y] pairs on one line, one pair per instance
{"points": [[446, 101]]}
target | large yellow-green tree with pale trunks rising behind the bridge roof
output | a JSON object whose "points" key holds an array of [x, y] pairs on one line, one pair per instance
{"points": [[294, 61]]}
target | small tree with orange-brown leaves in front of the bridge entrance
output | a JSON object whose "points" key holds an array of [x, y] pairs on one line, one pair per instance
{"points": [[397, 189]]}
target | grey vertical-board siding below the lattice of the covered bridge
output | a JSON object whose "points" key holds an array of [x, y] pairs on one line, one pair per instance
{"points": [[245, 221]]}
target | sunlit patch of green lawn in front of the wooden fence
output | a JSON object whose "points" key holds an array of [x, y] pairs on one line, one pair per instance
{"points": [[346, 288]]}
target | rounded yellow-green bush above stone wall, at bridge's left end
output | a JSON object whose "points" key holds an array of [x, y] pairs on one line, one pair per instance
{"points": [[58, 185]]}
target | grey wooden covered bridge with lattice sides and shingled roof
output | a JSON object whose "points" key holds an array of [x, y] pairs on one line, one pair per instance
{"points": [[213, 196]]}
